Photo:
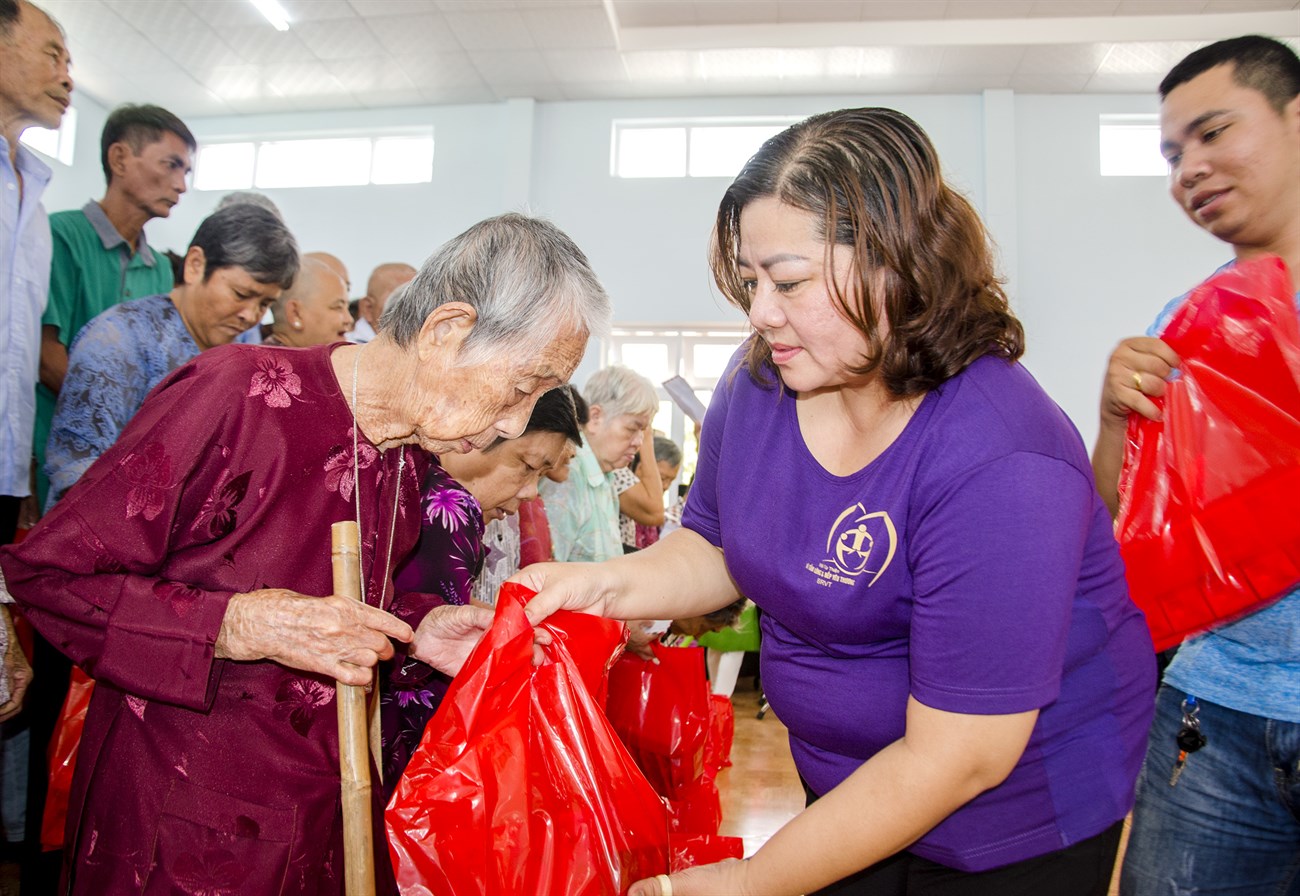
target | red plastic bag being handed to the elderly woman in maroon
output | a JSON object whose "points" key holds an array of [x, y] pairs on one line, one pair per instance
{"points": [[519, 786]]}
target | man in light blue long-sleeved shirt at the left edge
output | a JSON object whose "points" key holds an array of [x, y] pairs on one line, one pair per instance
{"points": [[36, 90]]}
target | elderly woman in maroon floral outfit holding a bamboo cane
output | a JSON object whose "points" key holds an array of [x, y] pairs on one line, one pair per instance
{"points": [[189, 570]]}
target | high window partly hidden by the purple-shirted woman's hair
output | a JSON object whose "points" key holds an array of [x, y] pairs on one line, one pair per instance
{"points": [[705, 148]]}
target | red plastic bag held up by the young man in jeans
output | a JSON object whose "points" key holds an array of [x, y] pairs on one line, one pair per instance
{"points": [[1208, 523]]}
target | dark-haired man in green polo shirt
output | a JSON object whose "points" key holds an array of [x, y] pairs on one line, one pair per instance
{"points": [[101, 257]]}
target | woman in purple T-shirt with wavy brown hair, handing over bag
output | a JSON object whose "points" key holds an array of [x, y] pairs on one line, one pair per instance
{"points": [[947, 633]]}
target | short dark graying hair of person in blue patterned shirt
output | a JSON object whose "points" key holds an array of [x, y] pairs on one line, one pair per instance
{"points": [[252, 239]]}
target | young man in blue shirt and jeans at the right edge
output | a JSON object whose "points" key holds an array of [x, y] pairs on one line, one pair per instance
{"points": [[1230, 821]]}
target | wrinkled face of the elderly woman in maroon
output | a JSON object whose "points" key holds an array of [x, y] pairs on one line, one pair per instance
{"points": [[471, 406]]}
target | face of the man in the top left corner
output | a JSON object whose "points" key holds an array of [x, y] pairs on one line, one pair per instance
{"points": [[36, 86]]}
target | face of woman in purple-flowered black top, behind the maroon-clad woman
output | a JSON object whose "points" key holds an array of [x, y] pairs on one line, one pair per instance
{"points": [[509, 474]]}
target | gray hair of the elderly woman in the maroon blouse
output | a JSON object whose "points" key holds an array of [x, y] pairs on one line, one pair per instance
{"points": [[523, 276]]}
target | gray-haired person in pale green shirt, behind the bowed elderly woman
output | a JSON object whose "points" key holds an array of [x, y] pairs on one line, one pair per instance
{"points": [[584, 510]]}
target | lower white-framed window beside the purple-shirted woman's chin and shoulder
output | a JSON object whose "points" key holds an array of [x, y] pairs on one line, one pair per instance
{"points": [[699, 354]]}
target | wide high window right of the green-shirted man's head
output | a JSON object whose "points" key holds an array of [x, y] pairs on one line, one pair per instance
{"points": [[317, 162]]}
